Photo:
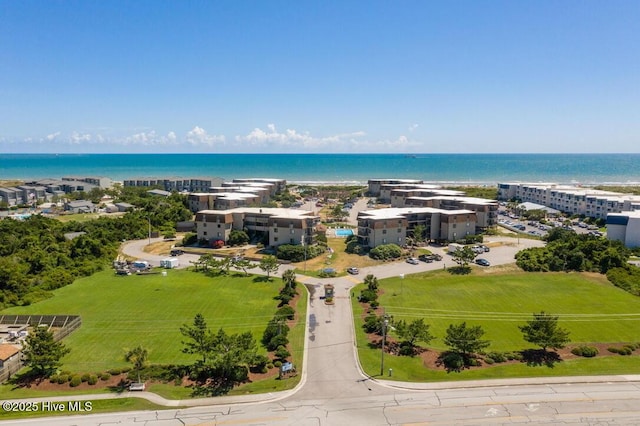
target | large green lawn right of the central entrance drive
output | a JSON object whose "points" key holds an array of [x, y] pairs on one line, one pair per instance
{"points": [[588, 306]]}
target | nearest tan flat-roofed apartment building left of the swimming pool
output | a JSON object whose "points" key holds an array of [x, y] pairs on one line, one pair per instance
{"points": [[282, 226]]}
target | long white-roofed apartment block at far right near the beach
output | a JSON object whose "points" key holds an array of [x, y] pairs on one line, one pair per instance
{"points": [[570, 199]]}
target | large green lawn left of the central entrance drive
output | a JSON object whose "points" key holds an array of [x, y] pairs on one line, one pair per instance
{"points": [[121, 312]]}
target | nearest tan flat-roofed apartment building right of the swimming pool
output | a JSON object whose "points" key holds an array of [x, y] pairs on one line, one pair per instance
{"points": [[392, 225]]}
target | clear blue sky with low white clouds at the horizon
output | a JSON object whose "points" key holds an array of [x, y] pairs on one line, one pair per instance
{"points": [[319, 76]]}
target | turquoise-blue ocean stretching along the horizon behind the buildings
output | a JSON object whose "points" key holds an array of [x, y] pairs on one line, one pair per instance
{"points": [[339, 168]]}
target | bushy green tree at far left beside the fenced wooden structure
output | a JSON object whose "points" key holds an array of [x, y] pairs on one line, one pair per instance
{"points": [[42, 353]]}
